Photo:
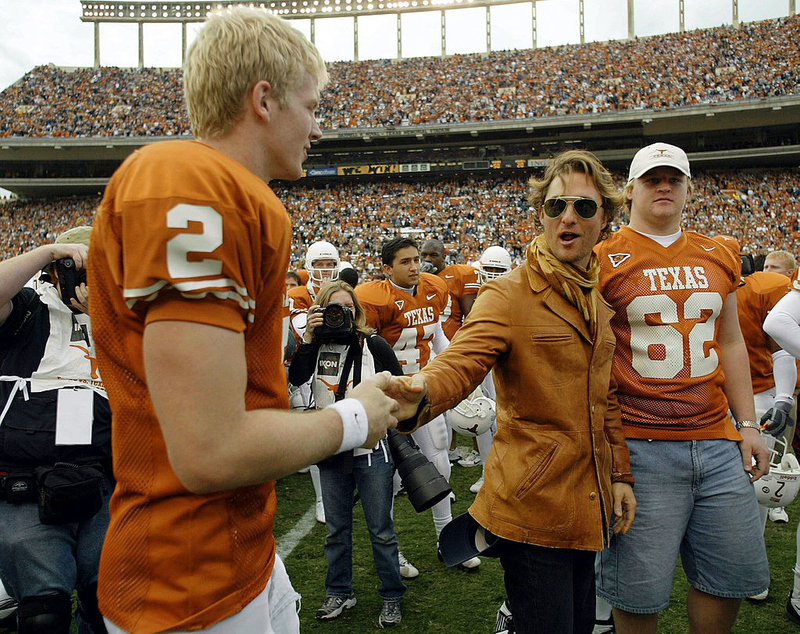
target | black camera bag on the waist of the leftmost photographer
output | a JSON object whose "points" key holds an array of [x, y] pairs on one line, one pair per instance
{"points": [[69, 493]]}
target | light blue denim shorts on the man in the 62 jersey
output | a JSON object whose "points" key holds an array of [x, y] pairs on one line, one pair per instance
{"points": [[695, 499]]}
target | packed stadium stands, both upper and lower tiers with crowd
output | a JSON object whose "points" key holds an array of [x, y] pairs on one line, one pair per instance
{"points": [[753, 64]]}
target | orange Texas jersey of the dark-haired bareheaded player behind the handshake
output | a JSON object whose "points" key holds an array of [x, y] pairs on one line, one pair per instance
{"points": [[406, 321]]}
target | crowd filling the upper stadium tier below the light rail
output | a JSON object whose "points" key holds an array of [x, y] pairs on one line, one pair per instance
{"points": [[754, 61]]}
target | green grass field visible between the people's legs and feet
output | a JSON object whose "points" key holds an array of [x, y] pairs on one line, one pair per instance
{"points": [[450, 601]]}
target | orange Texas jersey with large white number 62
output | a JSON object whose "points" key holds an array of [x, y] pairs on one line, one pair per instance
{"points": [[667, 302]]}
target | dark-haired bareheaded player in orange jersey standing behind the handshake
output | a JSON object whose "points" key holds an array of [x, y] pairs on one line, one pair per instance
{"points": [[405, 309]]}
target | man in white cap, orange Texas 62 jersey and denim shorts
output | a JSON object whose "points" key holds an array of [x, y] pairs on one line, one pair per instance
{"points": [[679, 354]]}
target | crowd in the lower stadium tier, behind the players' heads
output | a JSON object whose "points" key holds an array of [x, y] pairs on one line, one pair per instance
{"points": [[761, 208]]}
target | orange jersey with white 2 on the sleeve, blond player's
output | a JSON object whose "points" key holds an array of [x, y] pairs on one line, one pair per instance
{"points": [[184, 234]]}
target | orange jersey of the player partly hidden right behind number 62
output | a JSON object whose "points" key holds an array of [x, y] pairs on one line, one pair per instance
{"points": [[754, 299]]}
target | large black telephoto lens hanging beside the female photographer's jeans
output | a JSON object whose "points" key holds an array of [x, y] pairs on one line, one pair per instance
{"points": [[422, 481]]}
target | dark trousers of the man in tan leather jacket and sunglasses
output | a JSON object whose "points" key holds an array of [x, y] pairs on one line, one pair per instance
{"points": [[550, 590]]}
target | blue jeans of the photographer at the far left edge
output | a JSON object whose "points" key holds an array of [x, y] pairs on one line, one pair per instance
{"points": [[38, 559]]}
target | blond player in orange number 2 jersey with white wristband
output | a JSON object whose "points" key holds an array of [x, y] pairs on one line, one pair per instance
{"points": [[189, 253]]}
